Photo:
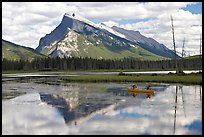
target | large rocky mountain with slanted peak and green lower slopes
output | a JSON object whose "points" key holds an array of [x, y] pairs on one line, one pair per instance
{"points": [[78, 37]]}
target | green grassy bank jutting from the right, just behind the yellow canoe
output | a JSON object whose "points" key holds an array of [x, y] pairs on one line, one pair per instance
{"points": [[166, 78]]}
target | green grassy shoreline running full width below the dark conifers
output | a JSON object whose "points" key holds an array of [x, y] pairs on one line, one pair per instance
{"points": [[191, 78]]}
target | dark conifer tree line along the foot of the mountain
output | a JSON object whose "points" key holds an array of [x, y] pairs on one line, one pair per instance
{"points": [[93, 64]]}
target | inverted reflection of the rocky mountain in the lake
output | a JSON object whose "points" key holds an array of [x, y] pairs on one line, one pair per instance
{"points": [[72, 108]]}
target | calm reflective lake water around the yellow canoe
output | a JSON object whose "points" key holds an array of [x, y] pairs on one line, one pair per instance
{"points": [[48, 105]]}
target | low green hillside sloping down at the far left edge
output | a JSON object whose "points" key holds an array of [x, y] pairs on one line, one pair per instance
{"points": [[13, 51]]}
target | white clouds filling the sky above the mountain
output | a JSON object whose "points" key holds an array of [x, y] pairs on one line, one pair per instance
{"points": [[34, 20]]}
